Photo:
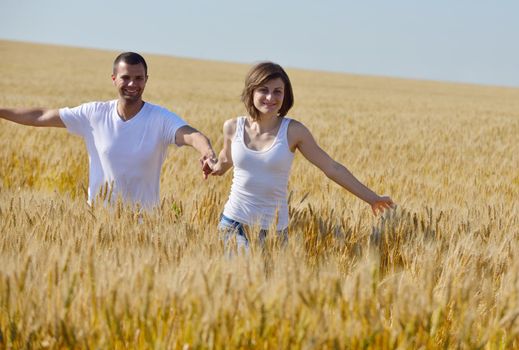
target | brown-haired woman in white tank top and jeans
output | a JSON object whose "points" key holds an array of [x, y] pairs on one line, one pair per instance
{"points": [[261, 148]]}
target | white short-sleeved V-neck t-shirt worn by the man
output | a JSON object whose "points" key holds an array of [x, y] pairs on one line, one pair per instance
{"points": [[126, 156]]}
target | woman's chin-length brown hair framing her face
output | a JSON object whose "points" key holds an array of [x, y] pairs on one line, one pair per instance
{"points": [[259, 75]]}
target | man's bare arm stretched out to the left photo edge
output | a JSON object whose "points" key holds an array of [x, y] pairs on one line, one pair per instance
{"points": [[33, 116]]}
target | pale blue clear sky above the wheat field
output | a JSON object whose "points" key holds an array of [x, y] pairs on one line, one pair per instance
{"points": [[462, 41]]}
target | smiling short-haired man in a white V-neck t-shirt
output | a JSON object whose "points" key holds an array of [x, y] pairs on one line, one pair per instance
{"points": [[126, 139]]}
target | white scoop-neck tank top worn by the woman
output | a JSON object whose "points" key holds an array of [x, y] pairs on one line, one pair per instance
{"points": [[259, 185]]}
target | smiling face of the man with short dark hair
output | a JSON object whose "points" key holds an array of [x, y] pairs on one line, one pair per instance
{"points": [[130, 80]]}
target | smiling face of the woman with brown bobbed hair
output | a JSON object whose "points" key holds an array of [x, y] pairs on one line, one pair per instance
{"points": [[268, 97]]}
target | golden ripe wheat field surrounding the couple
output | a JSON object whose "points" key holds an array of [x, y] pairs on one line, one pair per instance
{"points": [[440, 271]]}
